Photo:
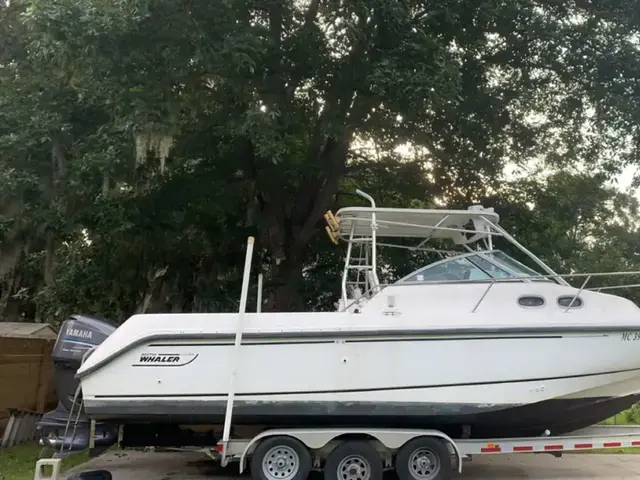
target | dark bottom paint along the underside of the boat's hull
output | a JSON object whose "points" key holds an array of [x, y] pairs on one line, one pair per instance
{"points": [[558, 415]]}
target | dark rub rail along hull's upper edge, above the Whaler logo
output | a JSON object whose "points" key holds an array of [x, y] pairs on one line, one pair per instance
{"points": [[535, 332]]}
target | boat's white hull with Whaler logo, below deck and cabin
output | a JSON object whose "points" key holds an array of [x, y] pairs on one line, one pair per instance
{"points": [[498, 382]]}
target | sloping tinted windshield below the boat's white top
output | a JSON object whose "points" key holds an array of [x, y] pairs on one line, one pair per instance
{"points": [[488, 265]]}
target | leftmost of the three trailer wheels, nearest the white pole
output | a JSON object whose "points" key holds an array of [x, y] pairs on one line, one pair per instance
{"points": [[281, 458]]}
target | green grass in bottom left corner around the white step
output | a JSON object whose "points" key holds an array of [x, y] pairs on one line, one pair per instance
{"points": [[19, 462]]}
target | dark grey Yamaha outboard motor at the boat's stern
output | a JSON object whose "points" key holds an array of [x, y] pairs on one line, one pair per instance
{"points": [[78, 335]]}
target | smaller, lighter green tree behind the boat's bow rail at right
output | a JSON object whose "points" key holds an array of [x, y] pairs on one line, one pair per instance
{"points": [[576, 224]]}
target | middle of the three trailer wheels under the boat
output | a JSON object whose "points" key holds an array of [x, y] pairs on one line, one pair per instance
{"points": [[353, 460]]}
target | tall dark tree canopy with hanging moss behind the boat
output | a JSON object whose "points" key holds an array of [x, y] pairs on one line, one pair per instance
{"points": [[142, 141]]}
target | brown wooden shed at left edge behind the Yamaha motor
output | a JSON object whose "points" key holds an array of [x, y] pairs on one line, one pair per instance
{"points": [[26, 380]]}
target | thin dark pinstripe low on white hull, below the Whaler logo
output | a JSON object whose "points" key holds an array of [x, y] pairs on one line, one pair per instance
{"points": [[377, 389]]}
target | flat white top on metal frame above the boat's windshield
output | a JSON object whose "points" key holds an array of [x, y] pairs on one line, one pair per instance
{"points": [[413, 223]]}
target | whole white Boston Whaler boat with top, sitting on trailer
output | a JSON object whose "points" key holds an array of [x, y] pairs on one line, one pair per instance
{"points": [[476, 344]]}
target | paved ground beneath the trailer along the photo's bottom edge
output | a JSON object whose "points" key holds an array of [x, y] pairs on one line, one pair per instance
{"points": [[134, 465]]}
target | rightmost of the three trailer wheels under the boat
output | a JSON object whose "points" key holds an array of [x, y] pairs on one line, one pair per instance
{"points": [[424, 458]]}
